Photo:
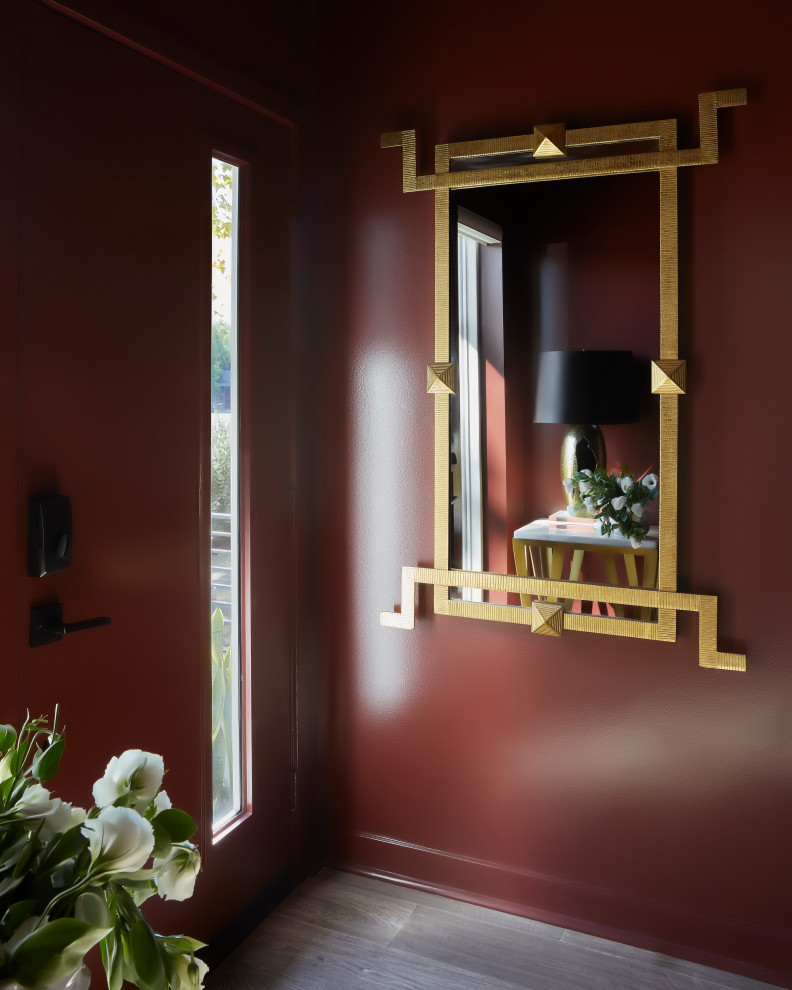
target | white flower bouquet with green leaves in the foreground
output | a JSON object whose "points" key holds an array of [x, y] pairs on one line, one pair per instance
{"points": [[71, 878]]}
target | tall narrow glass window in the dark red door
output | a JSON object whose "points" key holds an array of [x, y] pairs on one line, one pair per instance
{"points": [[227, 681]]}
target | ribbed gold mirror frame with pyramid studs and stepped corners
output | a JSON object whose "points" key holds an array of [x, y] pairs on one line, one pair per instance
{"points": [[548, 146]]}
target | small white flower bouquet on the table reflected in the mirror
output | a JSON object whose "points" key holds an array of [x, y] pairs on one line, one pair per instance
{"points": [[617, 502]]}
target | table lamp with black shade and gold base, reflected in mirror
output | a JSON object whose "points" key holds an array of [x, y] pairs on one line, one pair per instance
{"points": [[584, 389]]}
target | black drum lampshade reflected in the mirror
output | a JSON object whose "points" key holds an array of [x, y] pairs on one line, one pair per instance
{"points": [[586, 387]]}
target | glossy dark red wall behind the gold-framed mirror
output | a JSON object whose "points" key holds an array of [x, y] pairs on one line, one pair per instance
{"points": [[608, 785]]}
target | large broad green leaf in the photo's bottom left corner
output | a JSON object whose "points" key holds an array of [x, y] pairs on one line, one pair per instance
{"points": [[53, 952]]}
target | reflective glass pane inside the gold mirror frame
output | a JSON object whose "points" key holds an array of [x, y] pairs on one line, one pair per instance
{"points": [[548, 281]]}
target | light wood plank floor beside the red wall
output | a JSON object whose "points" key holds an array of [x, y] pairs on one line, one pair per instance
{"points": [[337, 931]]}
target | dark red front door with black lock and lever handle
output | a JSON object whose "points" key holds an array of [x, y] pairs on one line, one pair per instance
{"points": [[113, 411]]}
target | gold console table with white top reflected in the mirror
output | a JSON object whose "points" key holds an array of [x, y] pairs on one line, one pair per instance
{"points": [[543, 547]]}
